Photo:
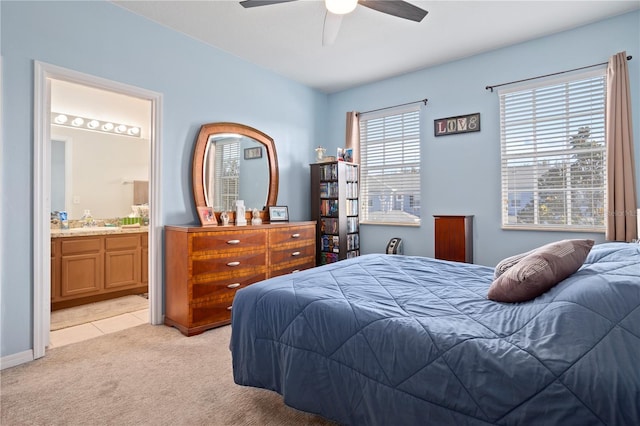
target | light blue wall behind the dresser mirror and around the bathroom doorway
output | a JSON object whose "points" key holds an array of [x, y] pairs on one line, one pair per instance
{"points": [[199, 85]]}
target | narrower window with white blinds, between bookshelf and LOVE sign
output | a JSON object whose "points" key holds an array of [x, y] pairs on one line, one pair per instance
{"points": [[390, 166]]}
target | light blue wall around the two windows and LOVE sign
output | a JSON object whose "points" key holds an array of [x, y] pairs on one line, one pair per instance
{"points": [[461, 173]]}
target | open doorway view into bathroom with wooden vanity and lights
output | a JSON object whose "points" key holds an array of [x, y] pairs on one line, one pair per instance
{"points": [[99, 164]]}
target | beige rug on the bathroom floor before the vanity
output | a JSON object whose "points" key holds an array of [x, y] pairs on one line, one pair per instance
{"points": [[77, 315]]}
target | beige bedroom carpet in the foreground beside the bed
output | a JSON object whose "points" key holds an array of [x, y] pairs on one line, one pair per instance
{"points": [[146, 375]]}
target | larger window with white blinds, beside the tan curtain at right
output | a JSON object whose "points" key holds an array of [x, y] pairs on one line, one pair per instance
{"points": [[553, 155]]}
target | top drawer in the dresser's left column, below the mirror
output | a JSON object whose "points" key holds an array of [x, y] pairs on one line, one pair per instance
{"points": [[227, 242]]}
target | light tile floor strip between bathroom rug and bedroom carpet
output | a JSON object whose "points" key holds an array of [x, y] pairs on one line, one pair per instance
{"points": [[90, 330]]}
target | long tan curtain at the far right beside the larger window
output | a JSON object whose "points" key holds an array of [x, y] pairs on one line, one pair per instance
{"points": [[621, 191]]}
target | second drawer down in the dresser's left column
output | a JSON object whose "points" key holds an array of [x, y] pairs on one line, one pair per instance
{"points": [[232, 263]]}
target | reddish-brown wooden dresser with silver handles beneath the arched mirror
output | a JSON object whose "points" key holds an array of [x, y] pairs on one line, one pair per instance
{"points": [[205, 266]]}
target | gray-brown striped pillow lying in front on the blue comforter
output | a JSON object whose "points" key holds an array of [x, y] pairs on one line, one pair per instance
{"points": [[539, 271]]}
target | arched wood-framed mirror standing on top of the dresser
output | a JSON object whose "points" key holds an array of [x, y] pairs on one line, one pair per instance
{"points": [[234, 162]]}
